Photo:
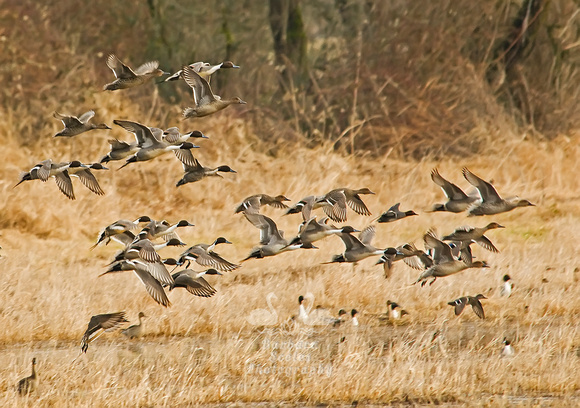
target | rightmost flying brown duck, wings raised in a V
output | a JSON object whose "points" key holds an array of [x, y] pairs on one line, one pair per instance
{"points": [[491, 202]]}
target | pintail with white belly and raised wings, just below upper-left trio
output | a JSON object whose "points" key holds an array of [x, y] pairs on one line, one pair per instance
{"points": [[151, 144]]}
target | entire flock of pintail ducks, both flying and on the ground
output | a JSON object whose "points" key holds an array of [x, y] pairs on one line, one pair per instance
{"points": [[442, 257]]}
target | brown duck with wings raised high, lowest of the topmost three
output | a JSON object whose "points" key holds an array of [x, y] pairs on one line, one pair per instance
{"points": [[206, 102]]}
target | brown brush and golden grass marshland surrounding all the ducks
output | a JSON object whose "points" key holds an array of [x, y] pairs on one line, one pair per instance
{"points": [[381, 93]]}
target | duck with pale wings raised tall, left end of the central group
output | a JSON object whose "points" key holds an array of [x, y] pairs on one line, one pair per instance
{"points": [[272, 240]]}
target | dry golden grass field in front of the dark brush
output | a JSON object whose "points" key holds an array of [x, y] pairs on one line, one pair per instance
{"points": [[204, 350]]}
